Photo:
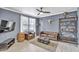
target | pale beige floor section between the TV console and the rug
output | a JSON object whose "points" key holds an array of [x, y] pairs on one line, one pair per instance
{"points": [[25, 47]]}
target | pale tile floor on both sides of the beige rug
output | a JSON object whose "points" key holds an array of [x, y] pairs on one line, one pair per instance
{"points": [[28, 47]]}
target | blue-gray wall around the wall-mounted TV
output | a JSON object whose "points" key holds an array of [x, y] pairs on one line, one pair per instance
{"points": [[10, 16]]}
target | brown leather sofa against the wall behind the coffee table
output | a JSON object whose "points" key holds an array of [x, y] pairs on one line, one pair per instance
{"points": [[51, 35]]}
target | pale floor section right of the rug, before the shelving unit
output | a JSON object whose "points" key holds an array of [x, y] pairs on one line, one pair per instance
{"points": [[66, 47]]}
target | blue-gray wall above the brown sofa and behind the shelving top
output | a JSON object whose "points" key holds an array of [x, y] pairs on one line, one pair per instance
{"points": [[54, 27]]}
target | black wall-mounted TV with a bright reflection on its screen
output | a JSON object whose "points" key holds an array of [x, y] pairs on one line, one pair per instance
{"points": [[6, 26]]}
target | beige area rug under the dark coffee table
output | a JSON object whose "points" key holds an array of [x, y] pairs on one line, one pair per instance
{"points": [[50, 47]]}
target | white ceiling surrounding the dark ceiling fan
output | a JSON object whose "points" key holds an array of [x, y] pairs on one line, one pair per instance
{"points": [[32, 10]]}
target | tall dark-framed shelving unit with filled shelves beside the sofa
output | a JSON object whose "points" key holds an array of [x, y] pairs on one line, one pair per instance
{"points": [[68, 29]]}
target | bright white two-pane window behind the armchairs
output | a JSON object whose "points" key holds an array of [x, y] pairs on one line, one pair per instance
{"points": [[27, 24]]}
